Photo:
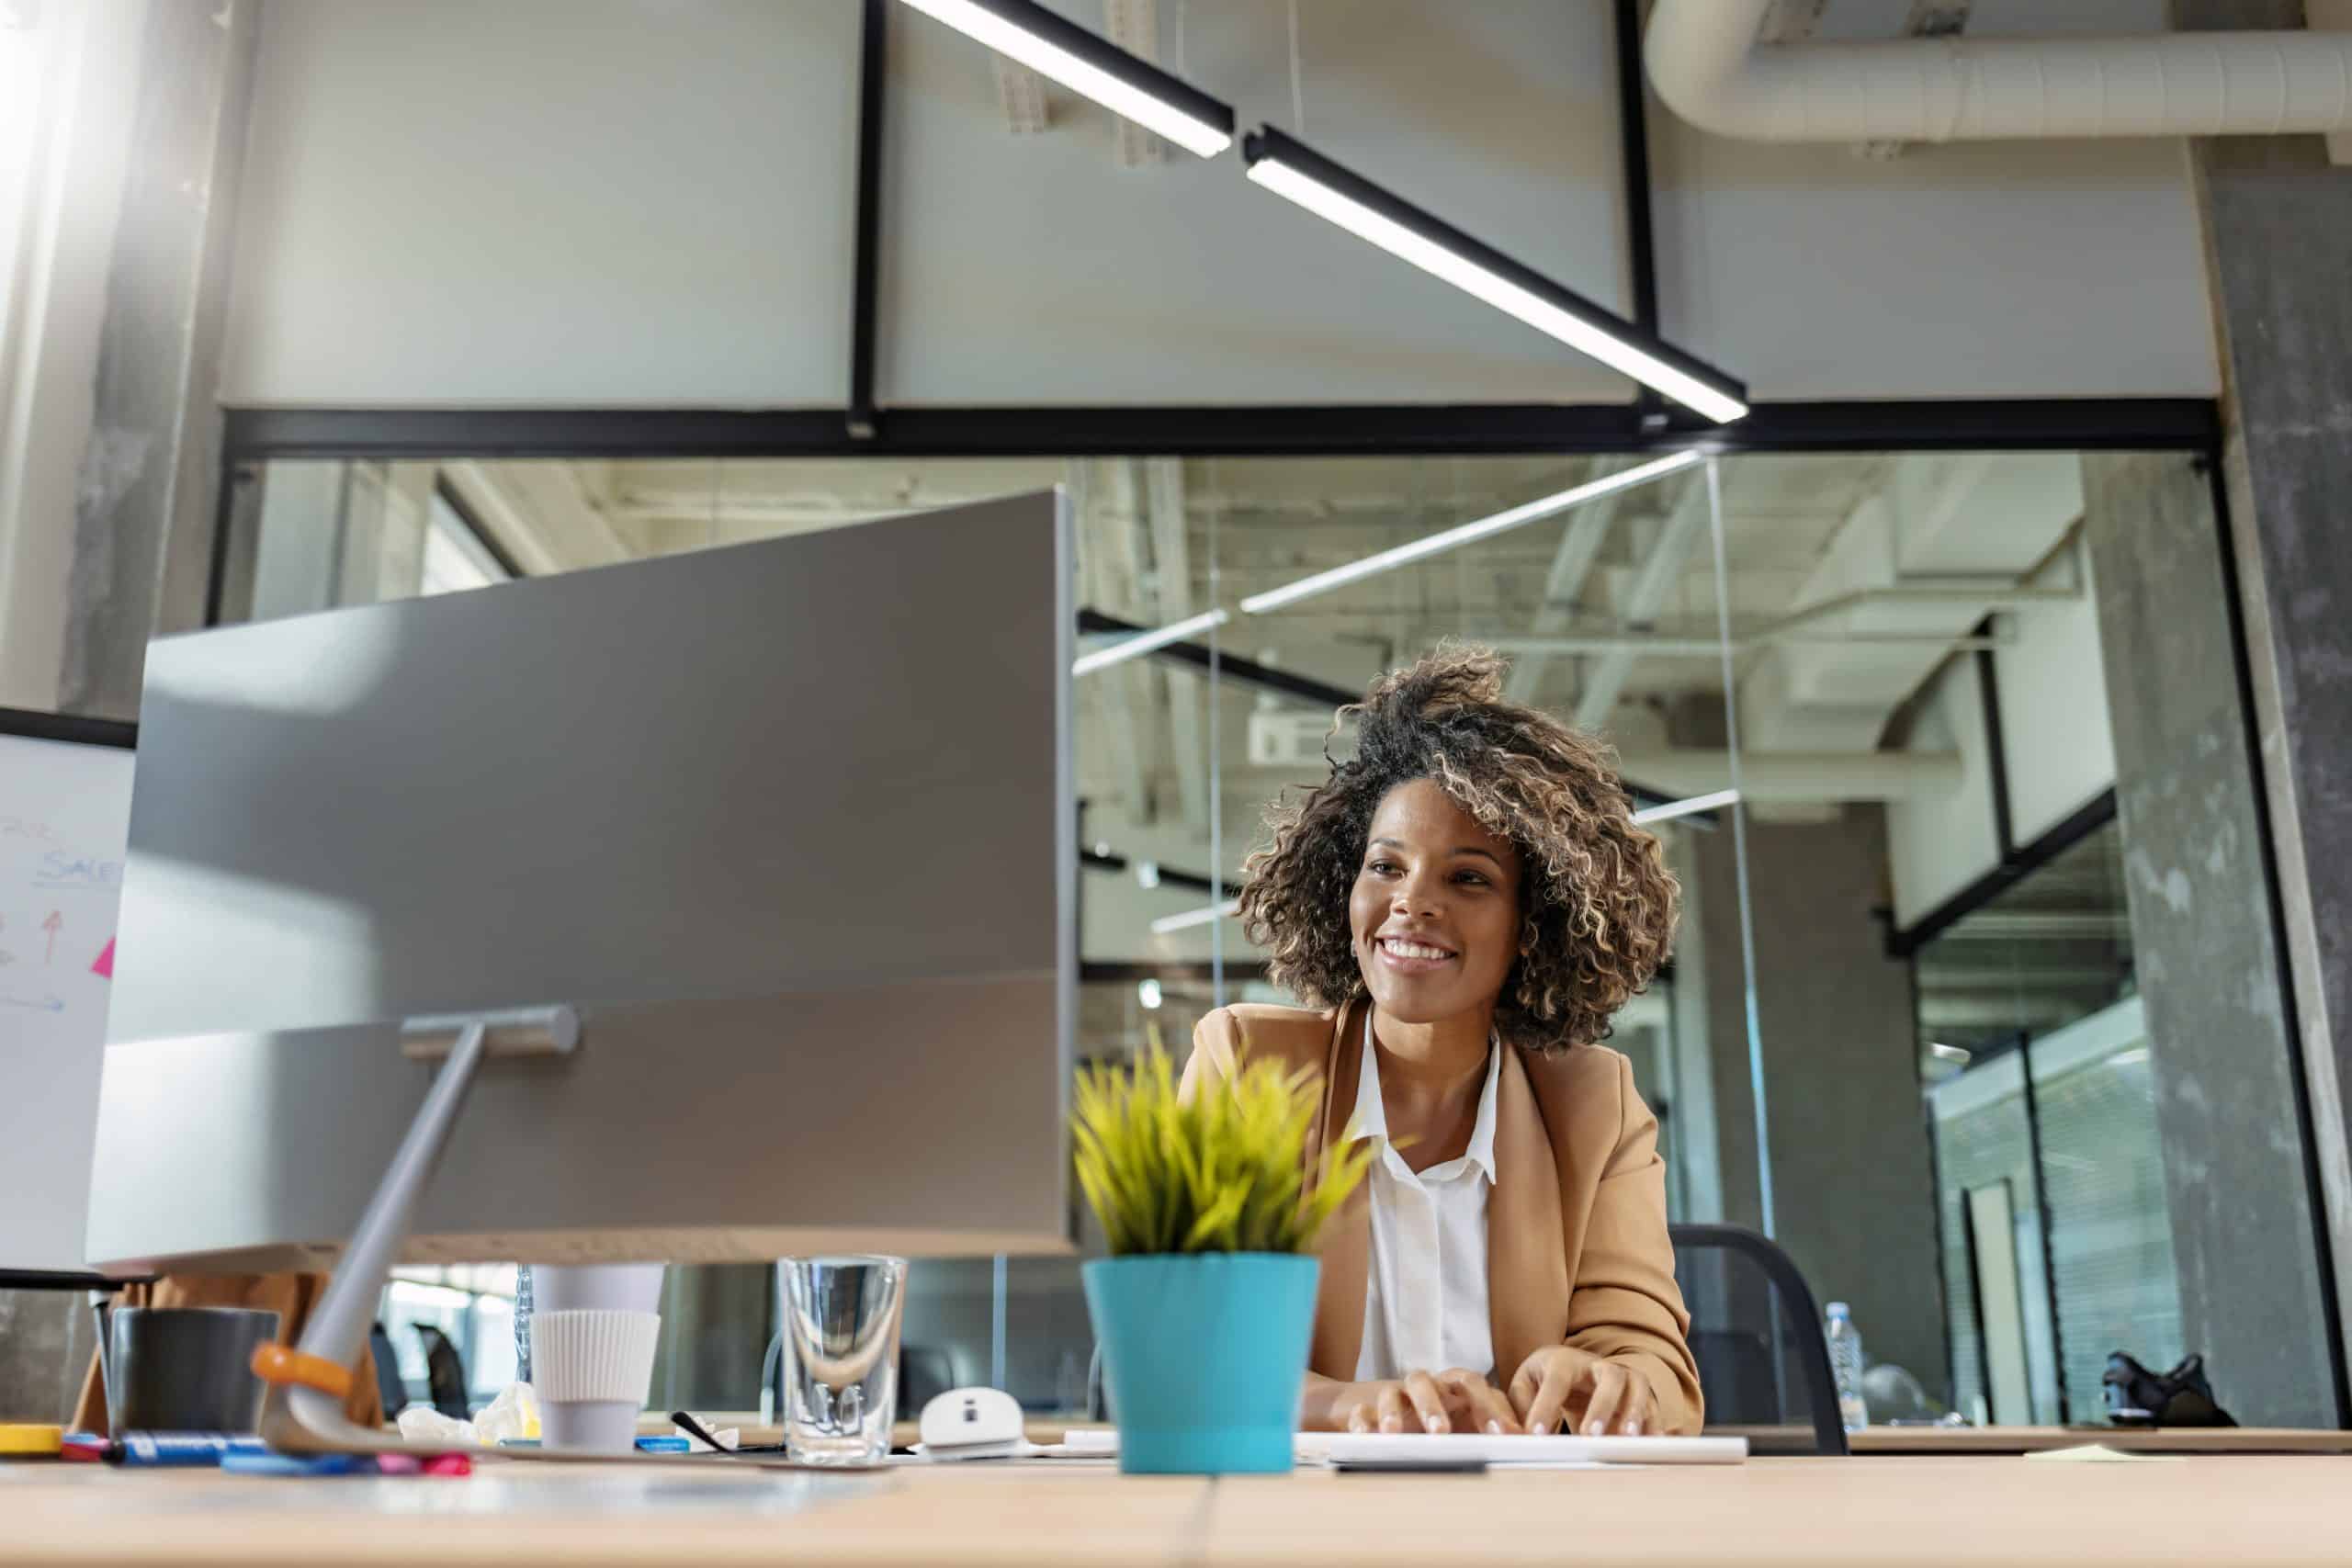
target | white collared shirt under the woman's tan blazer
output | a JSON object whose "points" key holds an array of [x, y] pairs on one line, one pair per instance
{"points": [[1426, 1285]]}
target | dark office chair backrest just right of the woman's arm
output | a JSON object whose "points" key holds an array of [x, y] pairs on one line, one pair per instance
{"points": [[1756, 1332]]}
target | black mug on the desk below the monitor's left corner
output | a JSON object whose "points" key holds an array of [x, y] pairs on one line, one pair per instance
{"points": [[185, 1369]]}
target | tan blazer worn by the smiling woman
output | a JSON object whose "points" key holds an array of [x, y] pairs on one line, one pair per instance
{"points": [[1577, 1249]]}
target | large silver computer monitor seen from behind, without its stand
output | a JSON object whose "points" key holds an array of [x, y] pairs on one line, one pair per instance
{"points": [[789, 824]]}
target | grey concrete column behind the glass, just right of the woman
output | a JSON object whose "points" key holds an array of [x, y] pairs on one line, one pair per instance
{"points": [[1852, 1174]]}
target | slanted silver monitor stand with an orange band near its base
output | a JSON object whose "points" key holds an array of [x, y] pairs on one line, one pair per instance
{"points": [[309, 1383]]}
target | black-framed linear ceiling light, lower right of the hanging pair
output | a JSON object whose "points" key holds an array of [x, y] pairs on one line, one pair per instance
{"points": [[1410, 234]]}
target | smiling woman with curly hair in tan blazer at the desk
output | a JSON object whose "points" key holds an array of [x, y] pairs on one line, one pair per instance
{"points": [[1469, 904]]}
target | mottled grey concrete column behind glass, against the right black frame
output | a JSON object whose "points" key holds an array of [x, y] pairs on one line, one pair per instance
{"points": [[2205, 944]]}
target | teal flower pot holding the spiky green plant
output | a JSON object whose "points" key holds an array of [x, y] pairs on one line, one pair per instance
{"points": [[1205, 1358]]}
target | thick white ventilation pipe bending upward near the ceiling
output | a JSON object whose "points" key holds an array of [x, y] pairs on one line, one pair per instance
{"points": [[1709, 67]]}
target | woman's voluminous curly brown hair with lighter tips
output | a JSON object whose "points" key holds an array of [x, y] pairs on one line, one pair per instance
{"points": [[1596, 899]]}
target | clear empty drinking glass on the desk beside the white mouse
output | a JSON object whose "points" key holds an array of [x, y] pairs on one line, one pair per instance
{"points": [[841, 1343]]}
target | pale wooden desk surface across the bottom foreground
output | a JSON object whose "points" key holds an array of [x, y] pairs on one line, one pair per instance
{"points": [[1946, 1510]]}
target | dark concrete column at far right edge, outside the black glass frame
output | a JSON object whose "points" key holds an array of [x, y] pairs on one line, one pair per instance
{"points": [[2278, 225]]}
